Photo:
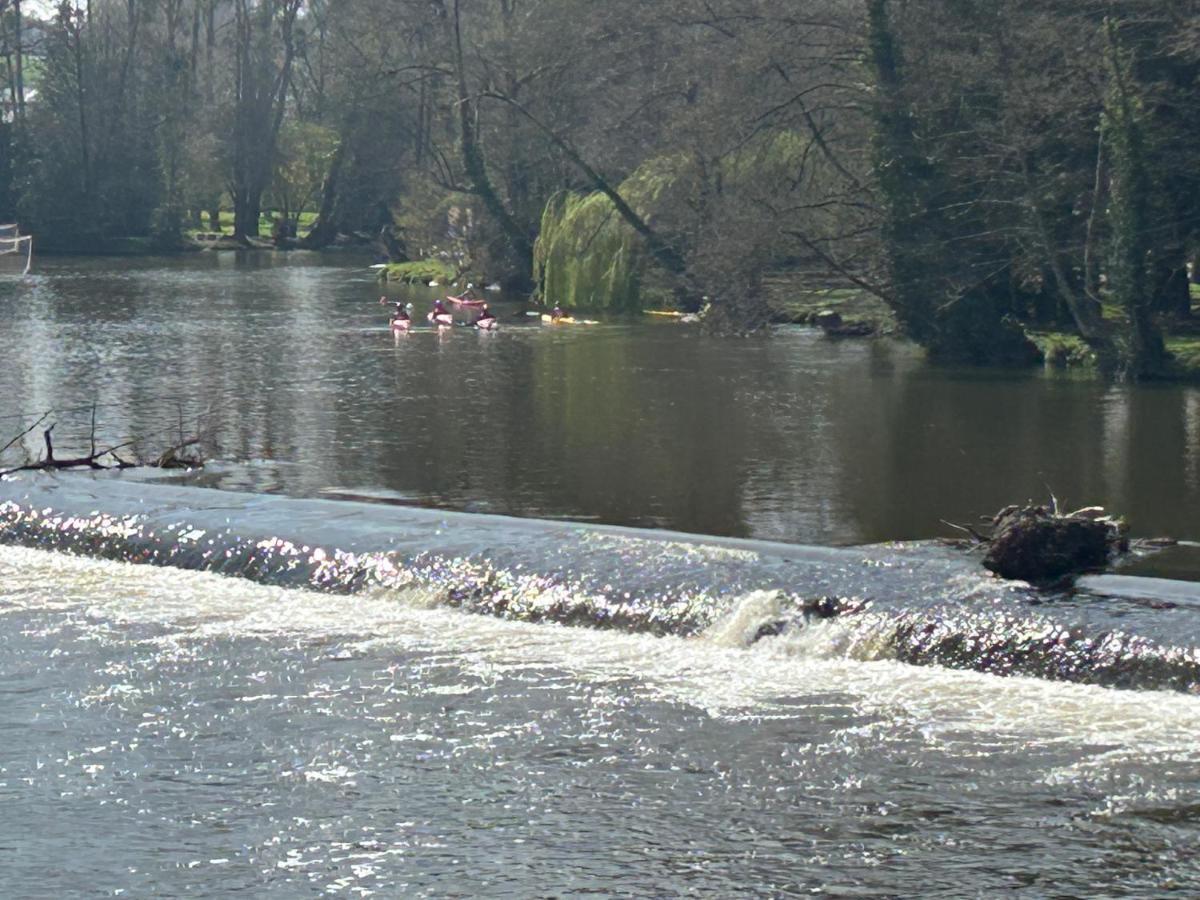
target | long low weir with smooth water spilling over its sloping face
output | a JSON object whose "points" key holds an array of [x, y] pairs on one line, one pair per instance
{"points": [[916, 603]]}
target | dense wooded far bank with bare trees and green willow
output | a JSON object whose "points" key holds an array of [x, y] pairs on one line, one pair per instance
{"points": [[986, 167]]}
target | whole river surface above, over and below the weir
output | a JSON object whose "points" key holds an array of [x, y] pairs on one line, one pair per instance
{"points": [[284, 693]]}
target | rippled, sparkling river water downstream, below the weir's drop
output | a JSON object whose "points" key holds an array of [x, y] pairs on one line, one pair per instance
{"points": [[177, 734]]}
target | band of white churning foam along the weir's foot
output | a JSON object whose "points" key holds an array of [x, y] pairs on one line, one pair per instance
{"points": [[715, 673]]}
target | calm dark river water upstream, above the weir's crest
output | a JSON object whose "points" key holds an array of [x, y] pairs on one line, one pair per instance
{"points": [[790, 437]]}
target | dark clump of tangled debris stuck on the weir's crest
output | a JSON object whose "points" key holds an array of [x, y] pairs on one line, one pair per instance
{"points": [[1037, 545]]}
